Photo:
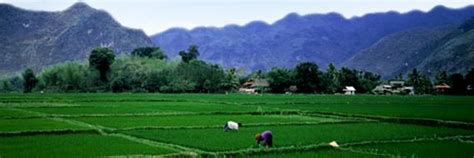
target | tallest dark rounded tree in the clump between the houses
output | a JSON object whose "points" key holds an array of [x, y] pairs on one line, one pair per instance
{"points": [[307, 77]]}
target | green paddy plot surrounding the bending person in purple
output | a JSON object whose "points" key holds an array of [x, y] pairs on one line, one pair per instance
{"points": [[216, 139]]}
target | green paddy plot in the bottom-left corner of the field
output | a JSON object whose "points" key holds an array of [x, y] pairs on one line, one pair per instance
{"points": [[84, 145]]}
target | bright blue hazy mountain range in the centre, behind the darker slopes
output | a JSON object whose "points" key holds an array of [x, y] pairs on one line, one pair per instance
{"points": [[321, 38]]}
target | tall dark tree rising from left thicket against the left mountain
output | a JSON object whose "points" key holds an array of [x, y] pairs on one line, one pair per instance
{"points": [[101, 59]]}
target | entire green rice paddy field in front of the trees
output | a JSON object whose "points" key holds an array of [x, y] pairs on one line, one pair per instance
{"points": [[191, 125]]}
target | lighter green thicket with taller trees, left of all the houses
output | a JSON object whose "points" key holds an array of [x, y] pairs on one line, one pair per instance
{"points": [[145, 70]]}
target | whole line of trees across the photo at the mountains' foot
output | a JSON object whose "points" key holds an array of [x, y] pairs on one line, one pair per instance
{"points": [[148, 69]]}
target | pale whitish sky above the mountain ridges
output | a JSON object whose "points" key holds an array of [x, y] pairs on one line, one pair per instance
{"points": [[154, 16]]}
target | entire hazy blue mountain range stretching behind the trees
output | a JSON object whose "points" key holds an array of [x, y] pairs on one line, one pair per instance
{"points": [[388, 43]]}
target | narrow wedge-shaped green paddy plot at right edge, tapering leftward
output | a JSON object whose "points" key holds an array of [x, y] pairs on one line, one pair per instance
{"points": [[408, 110]]}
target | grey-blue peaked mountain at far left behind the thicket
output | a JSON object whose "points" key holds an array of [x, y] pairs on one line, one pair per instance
{"points": [[34, 39]]}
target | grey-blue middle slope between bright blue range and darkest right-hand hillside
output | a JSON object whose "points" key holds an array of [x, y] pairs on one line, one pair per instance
{"points": [[398, 52]]}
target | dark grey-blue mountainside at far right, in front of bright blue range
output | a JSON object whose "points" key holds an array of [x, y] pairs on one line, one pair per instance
{"points": [[429, 49]]}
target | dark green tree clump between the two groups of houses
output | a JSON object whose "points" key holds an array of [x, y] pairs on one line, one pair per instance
{"points": [[307, 78]]}
